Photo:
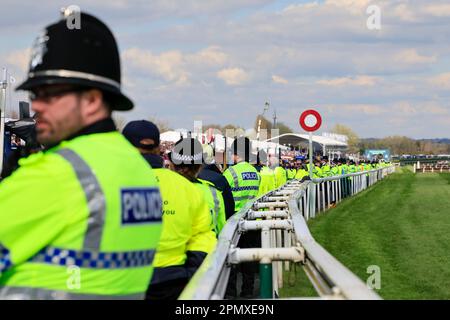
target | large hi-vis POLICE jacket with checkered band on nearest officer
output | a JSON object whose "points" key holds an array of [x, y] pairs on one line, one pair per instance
{"points": [[81, 220]]}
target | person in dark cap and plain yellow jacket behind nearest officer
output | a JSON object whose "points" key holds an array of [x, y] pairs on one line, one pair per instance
{"points": [[183, 206]]}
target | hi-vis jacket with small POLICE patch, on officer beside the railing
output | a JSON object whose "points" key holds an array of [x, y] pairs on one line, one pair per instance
{"points": [[244, 181]]}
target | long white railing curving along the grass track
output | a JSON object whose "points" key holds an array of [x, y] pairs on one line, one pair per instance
{"points": [[285, 238]]}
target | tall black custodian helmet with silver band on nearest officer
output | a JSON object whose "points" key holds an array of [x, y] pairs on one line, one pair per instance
{"points": [[86, 57]]}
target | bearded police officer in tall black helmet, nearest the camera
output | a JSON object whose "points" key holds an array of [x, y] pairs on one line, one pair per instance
{"points": [[82, 219]]}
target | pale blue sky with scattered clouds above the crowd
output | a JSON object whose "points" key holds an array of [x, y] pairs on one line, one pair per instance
{"points": [[219, 61]]}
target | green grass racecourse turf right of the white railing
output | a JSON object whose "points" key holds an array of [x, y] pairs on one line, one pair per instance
{"points": [[402, 225]]}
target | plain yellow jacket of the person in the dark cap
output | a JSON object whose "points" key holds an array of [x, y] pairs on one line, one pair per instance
{"points": [[186, 225]]}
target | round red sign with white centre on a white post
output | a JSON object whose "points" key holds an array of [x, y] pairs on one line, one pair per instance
{"points": [[311, 129]]}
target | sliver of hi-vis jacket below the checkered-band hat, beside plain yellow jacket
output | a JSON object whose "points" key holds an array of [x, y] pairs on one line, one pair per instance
{"points": [[216, 205]]}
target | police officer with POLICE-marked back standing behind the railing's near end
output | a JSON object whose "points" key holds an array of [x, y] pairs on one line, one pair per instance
{"points": [[244, 181]]}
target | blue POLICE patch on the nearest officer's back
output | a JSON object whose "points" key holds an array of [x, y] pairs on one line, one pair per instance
{"points": [[140, 205]]}
